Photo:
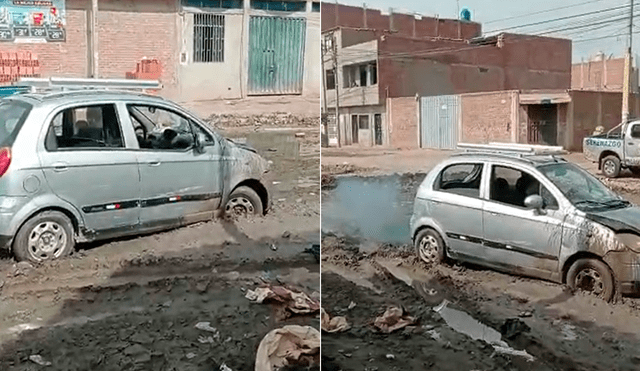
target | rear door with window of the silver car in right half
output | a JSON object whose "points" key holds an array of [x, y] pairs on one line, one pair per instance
{"points": [[457, 206]]}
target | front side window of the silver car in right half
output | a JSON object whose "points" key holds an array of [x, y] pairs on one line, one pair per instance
{"points": [[512, 186]]}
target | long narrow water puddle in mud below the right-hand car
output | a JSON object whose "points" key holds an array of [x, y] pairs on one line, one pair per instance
{"points": [[465, 324]]}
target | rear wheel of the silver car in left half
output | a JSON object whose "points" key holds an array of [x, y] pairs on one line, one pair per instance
{"points": [[46, 236]]}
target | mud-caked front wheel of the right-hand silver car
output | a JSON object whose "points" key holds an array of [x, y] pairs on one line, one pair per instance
{"points": [[593, 276]]}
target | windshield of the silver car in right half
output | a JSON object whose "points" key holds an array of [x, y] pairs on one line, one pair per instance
{"points": [[582, 189]]}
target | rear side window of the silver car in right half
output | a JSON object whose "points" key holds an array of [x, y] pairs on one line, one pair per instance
{"points": [[462, 179]]}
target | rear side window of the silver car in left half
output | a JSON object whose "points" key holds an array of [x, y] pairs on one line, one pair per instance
{"points": [[95, 126]]}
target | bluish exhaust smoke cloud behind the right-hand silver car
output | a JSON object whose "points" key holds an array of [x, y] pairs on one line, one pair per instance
{"points": [[373, 208]]}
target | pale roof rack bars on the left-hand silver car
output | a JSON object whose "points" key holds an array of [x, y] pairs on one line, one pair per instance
{"points": [[62, 84]]}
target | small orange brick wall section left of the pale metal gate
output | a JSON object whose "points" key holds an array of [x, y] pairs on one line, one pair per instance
{"points": [[403, 125]]}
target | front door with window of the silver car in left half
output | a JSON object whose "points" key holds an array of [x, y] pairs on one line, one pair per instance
{"points": [[179, 184]]}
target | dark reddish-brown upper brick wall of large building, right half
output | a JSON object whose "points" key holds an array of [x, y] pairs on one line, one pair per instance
{"points": [[443, 67]]}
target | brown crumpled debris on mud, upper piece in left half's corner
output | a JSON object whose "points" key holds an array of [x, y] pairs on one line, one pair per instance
{"points": [[296, 302]]}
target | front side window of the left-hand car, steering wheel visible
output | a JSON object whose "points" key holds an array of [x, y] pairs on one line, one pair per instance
{"points": [[160, 129]]}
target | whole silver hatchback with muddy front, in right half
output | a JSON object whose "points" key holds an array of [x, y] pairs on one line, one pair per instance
{"points": [[532, 215]]}
